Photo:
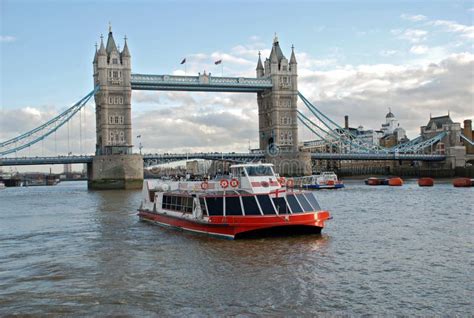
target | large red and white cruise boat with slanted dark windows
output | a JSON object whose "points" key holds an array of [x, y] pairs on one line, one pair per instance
{"points": [[253, 201]]}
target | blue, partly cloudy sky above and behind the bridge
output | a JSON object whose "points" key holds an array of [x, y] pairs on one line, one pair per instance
{"points": [[355, 58]]}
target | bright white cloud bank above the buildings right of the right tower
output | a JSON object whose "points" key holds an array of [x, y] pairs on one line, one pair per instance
{"points": [[366, 91]]}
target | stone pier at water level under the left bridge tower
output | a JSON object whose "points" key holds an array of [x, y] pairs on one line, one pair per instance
{"points": [[115, 172]]}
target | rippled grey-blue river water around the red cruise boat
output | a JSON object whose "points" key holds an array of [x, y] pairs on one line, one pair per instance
{"points": [[406, 250]]}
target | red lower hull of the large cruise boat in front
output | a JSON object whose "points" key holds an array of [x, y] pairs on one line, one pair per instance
{"points": [[232, 226]]}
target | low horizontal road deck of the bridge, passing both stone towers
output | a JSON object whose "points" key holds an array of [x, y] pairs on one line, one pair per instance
{"points": [[151, 159]]}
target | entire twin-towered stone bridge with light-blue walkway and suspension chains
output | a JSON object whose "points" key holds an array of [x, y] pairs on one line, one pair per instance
{"points": [[115, 166]]}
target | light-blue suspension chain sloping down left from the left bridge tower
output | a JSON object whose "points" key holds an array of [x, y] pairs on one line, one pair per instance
{"points": [[39, 133]]}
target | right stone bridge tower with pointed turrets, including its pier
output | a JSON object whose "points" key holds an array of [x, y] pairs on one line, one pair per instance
{"points": [[277, 113]]}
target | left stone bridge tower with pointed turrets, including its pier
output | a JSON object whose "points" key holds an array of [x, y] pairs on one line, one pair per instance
{"points": [[114, 165]]}
